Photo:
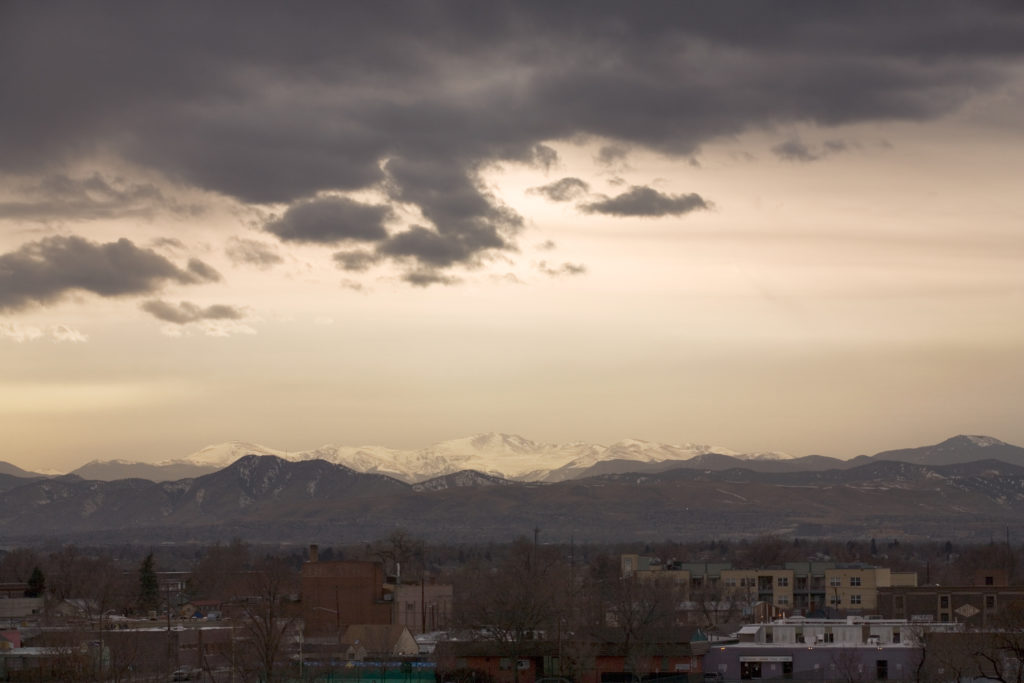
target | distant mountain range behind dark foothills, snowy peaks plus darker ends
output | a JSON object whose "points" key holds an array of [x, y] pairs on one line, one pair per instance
{"points": [[519, 459]]}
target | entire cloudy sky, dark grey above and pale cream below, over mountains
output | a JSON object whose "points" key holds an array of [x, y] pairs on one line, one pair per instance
{"points": [[791, 227]]}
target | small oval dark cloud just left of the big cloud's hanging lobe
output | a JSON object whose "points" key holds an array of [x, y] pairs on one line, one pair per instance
{"points": [[330, 221]]}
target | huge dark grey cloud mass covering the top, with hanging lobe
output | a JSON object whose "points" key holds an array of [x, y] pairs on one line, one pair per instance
{"points": [[270, 105]]}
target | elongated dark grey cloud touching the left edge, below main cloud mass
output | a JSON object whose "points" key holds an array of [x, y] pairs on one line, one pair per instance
{"points": [[41, 273]]}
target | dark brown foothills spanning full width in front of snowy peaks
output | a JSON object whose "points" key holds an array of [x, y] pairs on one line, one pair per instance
{"points": [[266, 498]]}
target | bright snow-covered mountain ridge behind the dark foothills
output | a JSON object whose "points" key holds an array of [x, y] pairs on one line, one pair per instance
{"points": [[507, 456]]}
